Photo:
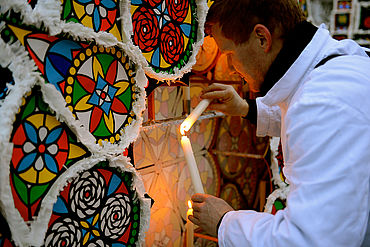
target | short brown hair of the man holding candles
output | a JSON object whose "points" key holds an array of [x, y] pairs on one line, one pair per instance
{"points": [[237, 18]]}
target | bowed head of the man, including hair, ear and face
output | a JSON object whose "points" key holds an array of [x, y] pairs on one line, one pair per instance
{"points": [[252, 32]]}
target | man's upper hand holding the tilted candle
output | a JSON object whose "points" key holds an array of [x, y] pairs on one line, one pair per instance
{"points": [[225, 99]]}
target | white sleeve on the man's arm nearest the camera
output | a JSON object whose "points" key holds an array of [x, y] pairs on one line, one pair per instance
{"points": [[327, 166]]}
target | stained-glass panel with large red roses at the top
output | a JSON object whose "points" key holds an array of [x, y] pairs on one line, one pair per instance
{"points": [[165, 31]]}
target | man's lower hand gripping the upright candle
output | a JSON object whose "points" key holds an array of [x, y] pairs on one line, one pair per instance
{"points": [[208, 211]]}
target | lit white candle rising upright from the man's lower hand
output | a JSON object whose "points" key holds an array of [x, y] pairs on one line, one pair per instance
{"points": [[193, 169]]}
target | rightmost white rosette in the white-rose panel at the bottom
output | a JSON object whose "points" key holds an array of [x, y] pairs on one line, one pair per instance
{"points": [[115, 216]]}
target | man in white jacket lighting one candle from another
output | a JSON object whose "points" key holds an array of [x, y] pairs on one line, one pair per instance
{"points": [[316, 97]]}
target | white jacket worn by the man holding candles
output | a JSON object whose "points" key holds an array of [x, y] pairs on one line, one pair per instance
{"points": [[323, 118]]}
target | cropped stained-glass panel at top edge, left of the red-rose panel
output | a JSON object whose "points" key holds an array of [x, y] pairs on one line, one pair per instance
{"points": [[101, 15]]}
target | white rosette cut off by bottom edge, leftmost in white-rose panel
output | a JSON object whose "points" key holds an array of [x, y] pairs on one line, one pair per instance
{"points": [[64, 232]]}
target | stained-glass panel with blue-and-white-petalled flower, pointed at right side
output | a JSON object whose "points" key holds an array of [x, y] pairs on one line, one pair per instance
{"points": [[43, 149]]}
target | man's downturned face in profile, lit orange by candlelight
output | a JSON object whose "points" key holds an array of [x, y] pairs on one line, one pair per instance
{"points": [[244, 58]]}
